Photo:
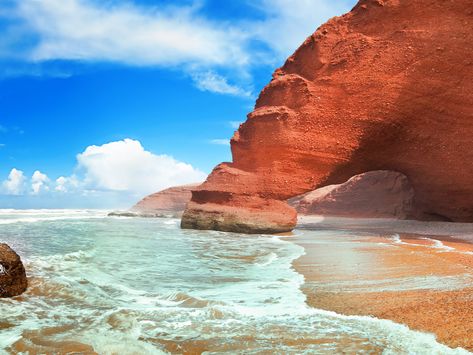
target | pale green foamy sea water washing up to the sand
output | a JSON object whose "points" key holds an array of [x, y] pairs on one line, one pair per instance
{"points": [[144, 286]]}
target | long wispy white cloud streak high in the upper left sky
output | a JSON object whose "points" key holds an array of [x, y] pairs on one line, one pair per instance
{"points": [[92, 30]]}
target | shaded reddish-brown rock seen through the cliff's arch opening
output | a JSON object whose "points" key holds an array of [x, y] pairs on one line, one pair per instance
{"points": [[376, 194]]}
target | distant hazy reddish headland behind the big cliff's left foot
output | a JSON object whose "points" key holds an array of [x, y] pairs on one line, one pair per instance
{"points": [[169, 202]]}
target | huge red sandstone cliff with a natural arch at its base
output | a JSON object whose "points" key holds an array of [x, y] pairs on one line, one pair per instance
{"points": [[388, 86]]}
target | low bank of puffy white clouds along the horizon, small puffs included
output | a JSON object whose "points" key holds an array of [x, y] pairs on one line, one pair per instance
{"points": [[122, 168]]}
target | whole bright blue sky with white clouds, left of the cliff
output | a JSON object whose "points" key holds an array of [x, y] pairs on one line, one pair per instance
{"points": [[104, 101]]}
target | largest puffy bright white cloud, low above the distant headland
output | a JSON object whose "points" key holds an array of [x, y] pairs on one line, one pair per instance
{"points": [[126, 166]]}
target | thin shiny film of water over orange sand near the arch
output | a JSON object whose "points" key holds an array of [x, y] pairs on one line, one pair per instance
{"points": [[347, 261]]}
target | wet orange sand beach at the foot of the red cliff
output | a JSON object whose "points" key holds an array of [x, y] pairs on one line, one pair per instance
{"points": [[415, 273]]}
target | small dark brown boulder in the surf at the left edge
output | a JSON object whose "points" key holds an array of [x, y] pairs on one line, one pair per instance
{"points": [[13, 280]]}
